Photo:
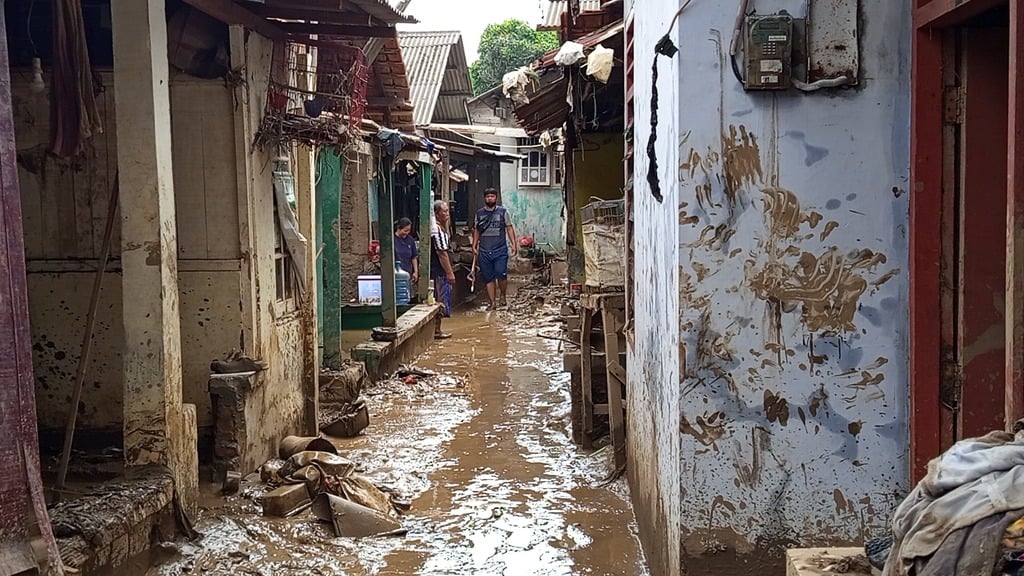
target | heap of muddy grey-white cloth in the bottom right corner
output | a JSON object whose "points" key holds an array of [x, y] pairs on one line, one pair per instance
{"points": [[975, 480]]}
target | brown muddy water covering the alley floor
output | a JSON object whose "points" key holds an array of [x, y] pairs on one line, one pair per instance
{"points": [[498, 487]]}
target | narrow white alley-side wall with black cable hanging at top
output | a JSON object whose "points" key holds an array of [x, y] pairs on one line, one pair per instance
{"points": [[653, 398]]}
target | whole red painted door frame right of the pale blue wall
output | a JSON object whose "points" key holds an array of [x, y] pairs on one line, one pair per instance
{"points": [[926, 217]]}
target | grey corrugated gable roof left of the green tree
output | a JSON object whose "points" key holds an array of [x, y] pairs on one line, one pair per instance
{"points": [[439, 75]]}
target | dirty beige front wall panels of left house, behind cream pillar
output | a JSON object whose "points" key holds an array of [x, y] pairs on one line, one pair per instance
{"points": [[65, 221]]}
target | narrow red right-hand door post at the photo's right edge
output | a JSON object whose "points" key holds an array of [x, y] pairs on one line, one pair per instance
{"points": [[1014, 390]]}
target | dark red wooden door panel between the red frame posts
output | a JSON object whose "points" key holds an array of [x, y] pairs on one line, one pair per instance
{"points": [[982, 343]]}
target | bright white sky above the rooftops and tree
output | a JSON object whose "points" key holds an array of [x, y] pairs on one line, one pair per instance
{"points": [[471, 17]]}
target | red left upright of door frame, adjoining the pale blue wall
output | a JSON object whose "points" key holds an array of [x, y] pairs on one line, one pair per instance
{"points": [[926, 205]]}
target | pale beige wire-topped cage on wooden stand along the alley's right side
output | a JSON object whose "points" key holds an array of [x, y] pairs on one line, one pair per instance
{"points": [[605, 243]]}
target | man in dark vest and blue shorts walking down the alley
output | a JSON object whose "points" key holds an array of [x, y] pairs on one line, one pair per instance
{"points": [[493, 237]]}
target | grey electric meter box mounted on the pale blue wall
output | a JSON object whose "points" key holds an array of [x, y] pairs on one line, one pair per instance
{"points": [[769, 53]]}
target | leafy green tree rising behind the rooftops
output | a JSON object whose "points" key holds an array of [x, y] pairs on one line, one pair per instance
{"points": [[505, 48]]}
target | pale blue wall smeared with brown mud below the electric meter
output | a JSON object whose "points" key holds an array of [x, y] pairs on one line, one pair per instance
{"points": [[793, 292]]}
